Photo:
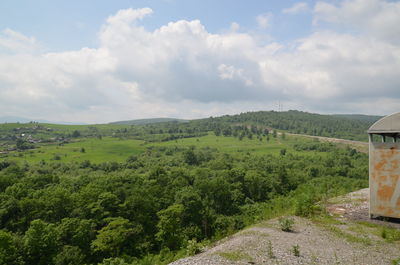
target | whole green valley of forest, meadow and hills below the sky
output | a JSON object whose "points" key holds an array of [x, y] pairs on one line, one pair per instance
{"points": [[168, 198]]}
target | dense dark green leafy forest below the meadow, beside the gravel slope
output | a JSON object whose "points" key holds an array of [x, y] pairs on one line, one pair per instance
{"points": [[162, 201]]}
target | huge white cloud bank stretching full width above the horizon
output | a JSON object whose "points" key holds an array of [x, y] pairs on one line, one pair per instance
{"points": [[182, 70]]}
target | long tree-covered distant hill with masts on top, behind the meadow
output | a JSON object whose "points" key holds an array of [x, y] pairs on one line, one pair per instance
{"points": [[351, 127]]}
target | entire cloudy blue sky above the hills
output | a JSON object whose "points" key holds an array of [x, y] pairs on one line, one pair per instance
{"points": [[100, 60]]}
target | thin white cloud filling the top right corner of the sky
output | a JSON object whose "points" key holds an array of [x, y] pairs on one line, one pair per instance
{"points": [[378, 18]]}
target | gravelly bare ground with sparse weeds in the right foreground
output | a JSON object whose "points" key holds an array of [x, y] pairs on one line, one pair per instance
{"points": [[342, 239]]}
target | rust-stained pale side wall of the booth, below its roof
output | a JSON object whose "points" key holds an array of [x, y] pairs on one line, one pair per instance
{"points": [[384, 174]]}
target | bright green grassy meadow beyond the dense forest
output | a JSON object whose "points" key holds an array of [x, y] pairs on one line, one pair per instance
{"points": [[115, 149]]}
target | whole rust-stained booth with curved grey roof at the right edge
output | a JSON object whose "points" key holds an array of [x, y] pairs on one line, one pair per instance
{"points": [[384, 167]]}
